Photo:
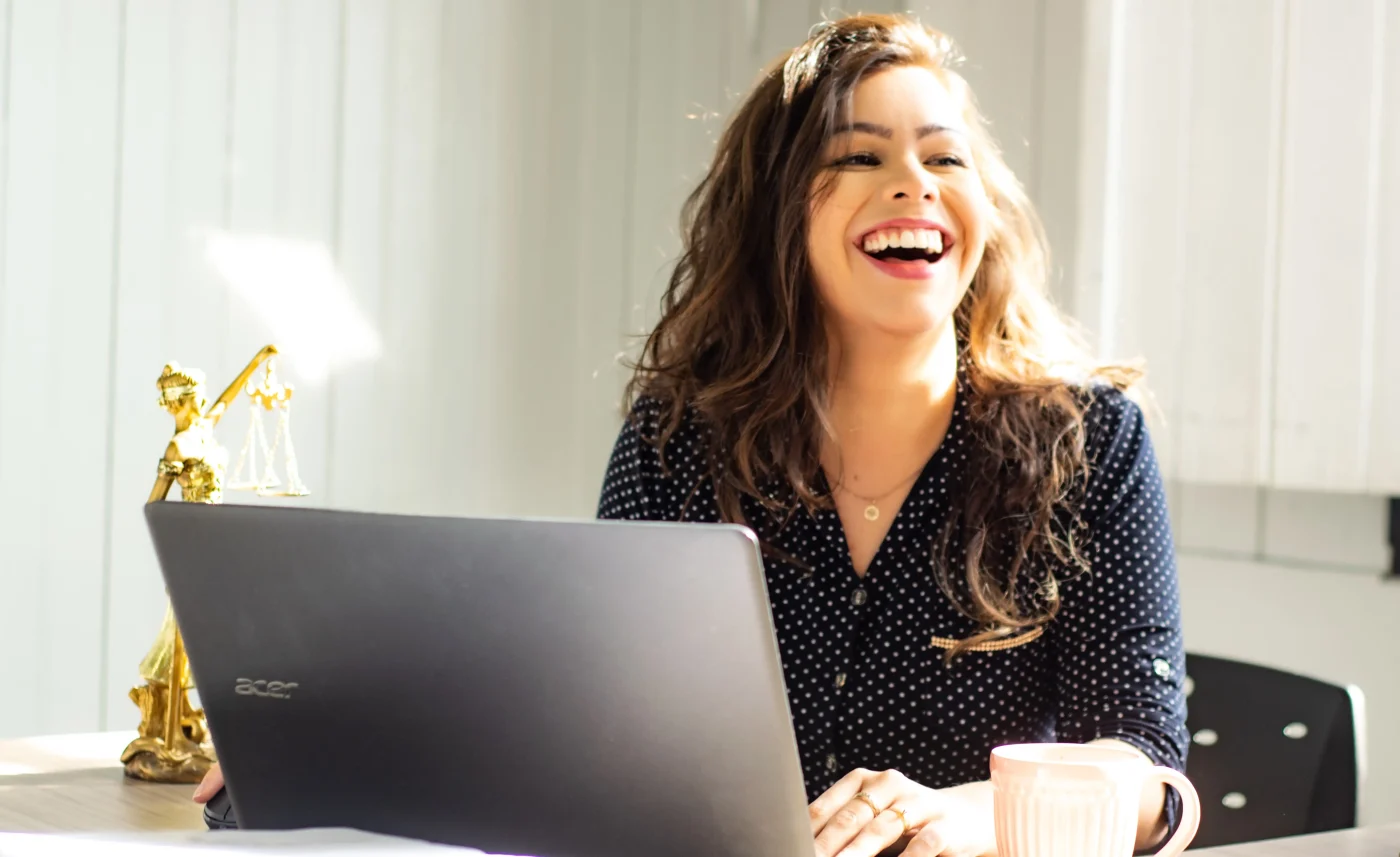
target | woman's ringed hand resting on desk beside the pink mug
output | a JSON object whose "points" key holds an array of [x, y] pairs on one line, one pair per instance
{"points": [[867, 811]]}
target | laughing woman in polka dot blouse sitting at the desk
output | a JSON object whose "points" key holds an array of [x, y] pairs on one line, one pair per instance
{"points": [[961, 512]]}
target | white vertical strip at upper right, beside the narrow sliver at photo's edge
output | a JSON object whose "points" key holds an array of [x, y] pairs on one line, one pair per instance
{"points": [[1326, 275]]}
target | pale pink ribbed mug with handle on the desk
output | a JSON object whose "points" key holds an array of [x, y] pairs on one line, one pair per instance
{"points": [[1080, 800]]}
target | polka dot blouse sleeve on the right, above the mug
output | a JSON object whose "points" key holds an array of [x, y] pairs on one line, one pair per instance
{"points": [[1118, 638]]}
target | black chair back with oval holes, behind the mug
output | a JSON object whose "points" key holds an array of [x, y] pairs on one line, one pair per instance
{"points": [[1273, 754]]}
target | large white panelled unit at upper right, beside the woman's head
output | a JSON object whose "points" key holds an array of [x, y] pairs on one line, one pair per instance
{"points": [[1249, 211]]}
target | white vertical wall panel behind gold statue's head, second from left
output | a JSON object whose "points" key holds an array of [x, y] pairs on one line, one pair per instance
{"points": [[170, 305]]}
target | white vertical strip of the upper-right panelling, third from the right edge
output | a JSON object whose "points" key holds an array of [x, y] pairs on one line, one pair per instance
{"points": [[1230, 228]]}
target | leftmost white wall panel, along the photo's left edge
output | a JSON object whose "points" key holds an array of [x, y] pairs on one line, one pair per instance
{"points": [[55, 355]]}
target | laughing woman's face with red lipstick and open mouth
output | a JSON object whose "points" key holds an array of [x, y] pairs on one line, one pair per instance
{"points": [[899, 236]]}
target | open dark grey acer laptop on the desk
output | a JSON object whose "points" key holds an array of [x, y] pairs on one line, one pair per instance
{"points": [[521, 687]]}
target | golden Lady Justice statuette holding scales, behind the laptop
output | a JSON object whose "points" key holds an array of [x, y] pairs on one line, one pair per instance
{"points": [[173, 743]]}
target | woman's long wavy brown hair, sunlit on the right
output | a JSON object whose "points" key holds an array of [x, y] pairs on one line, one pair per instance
{"points": [[741, 342]]}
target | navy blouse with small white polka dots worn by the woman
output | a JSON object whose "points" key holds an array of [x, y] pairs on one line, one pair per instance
{"points": [[863, 657]]}
